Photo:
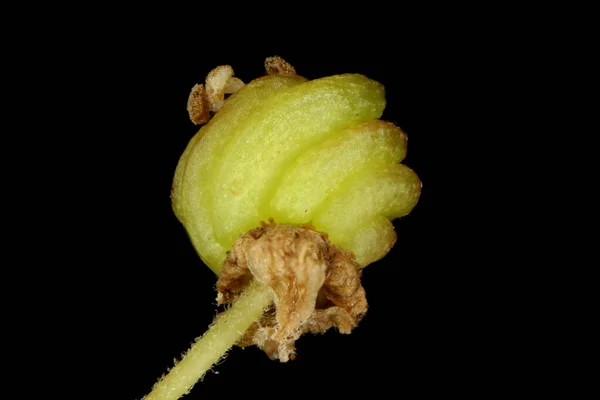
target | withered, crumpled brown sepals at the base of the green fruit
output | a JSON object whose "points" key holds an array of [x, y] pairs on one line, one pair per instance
{"points": [[316, 285]]}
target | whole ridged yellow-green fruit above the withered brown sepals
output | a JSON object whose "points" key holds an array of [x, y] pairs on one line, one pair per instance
{"points": [[301, 152]]}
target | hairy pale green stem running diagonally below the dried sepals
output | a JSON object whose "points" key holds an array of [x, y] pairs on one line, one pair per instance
{"points": [[225, 331]]}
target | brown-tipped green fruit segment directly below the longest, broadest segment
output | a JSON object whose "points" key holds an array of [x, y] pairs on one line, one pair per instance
{"points": [[320, 171]]}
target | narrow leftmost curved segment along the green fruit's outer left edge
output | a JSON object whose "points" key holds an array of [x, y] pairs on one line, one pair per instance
{"points": [[193, 181]]}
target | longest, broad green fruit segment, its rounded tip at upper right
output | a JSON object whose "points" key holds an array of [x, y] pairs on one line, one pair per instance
{"points": [[287, 124]]}
